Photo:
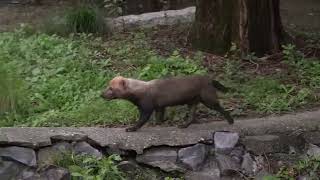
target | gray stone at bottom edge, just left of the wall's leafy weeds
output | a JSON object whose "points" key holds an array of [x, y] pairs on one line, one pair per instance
{"points": [[55, 173]]}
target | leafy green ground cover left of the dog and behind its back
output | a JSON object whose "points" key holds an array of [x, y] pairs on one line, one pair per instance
{"points": [[64, 77]]}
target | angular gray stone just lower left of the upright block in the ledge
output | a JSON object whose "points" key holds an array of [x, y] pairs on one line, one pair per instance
{"points": [[193, 157]]}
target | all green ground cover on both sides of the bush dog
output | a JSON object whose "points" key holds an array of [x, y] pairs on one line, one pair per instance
{"points": [[47, 80]]}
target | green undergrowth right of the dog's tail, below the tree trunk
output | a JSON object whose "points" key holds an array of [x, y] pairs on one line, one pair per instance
{"points": [[273, 94]]}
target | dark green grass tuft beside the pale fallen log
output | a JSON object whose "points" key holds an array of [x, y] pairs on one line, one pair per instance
{"points": [[85, 19]]}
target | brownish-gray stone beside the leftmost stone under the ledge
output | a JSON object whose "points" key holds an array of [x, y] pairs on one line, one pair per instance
{"points": [[47, 155]]}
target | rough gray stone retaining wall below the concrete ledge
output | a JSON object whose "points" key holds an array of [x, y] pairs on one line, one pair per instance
{"points": [[220, 155]]}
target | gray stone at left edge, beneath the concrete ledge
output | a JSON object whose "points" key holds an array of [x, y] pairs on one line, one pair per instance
{"points": [[23, 155]]}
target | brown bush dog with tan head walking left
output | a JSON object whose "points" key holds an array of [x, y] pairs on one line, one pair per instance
{"points": [[156, 95]]}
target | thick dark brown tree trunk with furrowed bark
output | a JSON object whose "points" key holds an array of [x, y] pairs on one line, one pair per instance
{"points": [[254, 25]]}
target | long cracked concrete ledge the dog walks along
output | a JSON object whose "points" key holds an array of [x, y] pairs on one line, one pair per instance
{"points": [[158, 136]]}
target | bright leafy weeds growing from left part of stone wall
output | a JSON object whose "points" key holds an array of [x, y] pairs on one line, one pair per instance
{"points": [[90, 168]]}
